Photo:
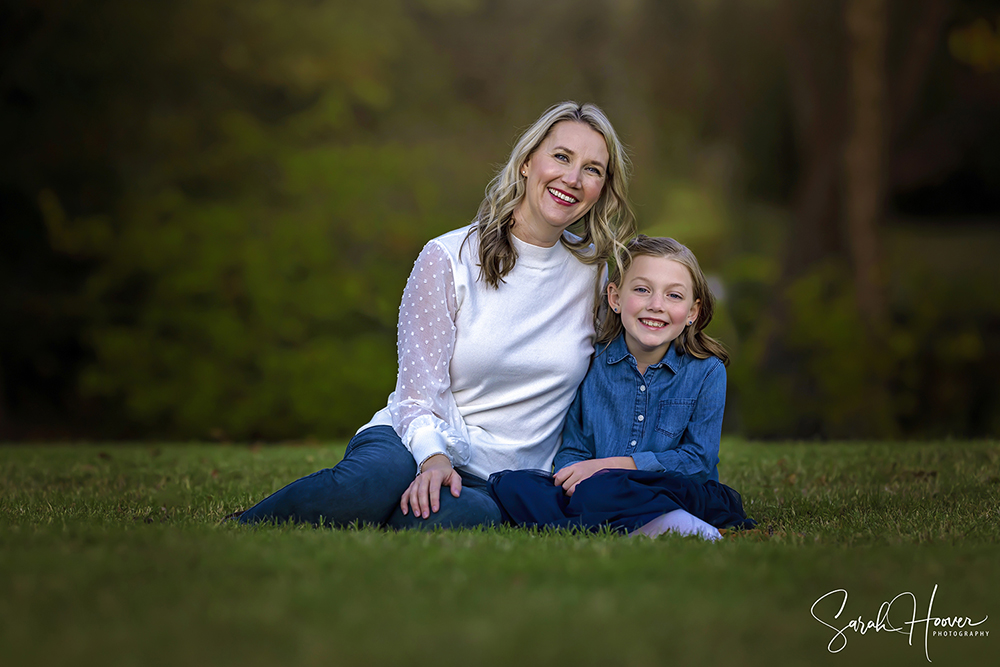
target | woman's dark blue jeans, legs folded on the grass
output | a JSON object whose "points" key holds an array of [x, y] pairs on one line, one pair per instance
{"points": [[365, 487]]}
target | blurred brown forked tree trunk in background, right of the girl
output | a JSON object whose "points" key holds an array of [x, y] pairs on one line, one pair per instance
{"points": [[841, 58]]}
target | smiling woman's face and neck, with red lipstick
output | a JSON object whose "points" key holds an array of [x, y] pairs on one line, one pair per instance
{"points": [[564, 178]]}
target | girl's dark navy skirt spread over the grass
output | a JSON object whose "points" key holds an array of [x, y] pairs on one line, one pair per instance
{"points": [[622, 500]]}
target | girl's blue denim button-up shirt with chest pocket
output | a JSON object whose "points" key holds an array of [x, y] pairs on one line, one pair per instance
{"points": [[668, 420]]}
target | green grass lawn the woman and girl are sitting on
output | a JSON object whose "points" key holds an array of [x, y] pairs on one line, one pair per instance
{"points": [[113, 555]]}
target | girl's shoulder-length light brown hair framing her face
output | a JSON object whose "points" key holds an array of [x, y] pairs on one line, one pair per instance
{"points": [[692, 340]]}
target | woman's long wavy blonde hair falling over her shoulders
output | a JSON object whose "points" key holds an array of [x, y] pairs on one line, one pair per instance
{"points": [[606, 225]]}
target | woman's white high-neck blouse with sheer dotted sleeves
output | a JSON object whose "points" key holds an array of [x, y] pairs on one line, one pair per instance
{"points": [[486, 375]]}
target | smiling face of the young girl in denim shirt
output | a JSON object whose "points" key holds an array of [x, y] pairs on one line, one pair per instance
{"points": [[656, 301]]}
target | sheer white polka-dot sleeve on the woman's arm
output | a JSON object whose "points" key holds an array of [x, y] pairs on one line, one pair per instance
{"points": [[423, 409]]}
